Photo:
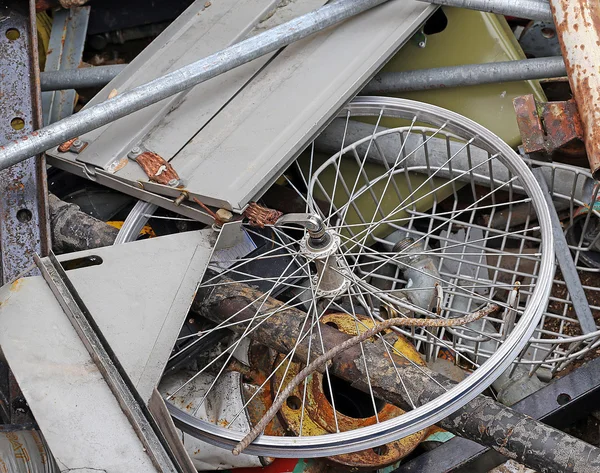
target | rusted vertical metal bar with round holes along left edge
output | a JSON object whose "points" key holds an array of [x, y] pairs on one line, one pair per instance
{"points": [[23, 218]]}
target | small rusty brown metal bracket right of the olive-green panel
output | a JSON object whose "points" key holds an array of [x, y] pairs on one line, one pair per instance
{"points": [[546, 127]]}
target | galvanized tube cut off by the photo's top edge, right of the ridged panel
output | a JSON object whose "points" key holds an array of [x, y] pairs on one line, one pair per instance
{"points": [[530, 9]]}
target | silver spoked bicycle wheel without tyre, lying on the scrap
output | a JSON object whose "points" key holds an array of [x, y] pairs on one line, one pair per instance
{"points": [[397, 202]]}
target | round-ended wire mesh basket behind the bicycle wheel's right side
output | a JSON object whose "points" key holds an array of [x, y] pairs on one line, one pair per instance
{"points": [[470, 218]]}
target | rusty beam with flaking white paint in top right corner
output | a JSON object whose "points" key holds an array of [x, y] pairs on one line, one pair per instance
{"points": [[578, 27]]}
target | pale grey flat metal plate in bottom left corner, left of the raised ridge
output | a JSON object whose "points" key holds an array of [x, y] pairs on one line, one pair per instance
{"points": [[75, 409]]}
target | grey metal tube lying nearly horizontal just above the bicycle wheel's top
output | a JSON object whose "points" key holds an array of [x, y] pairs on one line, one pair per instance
{"points": [[468, 74]]}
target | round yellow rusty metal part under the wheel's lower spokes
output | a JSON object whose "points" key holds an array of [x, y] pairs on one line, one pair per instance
{"points": [[318, 417]]}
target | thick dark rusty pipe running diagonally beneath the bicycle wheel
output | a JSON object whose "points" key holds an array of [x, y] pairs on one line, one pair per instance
{"points": [[483, 420]]}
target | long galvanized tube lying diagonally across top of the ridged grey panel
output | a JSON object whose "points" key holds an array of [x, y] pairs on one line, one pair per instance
{"points": [[181, 79]]}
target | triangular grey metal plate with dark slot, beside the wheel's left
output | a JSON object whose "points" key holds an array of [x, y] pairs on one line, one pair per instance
{"points": [[140, 296]]}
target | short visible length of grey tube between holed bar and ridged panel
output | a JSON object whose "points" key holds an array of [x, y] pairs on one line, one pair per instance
{"points": [[79, 78]]}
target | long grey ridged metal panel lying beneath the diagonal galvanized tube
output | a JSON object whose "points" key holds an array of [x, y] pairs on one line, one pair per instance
{"points": [[257, 132]]}
